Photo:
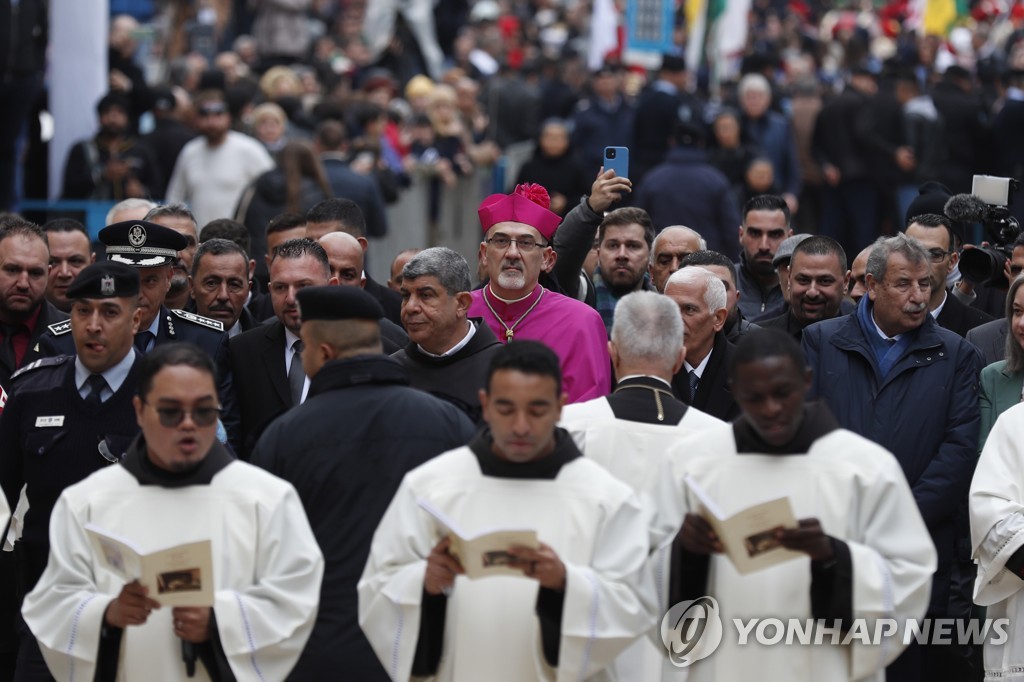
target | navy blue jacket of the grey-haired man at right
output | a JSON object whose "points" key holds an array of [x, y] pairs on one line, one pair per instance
{"points": [[925, 412]]}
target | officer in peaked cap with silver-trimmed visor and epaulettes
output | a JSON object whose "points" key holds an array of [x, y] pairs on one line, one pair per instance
{"points": [[152, 249]]}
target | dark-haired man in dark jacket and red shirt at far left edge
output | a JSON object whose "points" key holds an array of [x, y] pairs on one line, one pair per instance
{"points": [[25, 313]]}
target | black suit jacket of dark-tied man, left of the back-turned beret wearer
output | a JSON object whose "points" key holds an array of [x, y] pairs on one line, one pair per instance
{"points": [[261, 380]]}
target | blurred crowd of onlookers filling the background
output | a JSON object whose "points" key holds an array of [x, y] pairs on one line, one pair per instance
{"points": [[842, 109]]}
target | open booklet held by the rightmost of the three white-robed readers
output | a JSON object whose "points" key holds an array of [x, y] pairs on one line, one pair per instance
{"points": [[749, 536]]}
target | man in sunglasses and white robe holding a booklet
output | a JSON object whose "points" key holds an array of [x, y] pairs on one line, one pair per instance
{"points": [[179, 485]]}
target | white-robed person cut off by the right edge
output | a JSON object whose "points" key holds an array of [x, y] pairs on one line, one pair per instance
{"points": [[998, 540]]}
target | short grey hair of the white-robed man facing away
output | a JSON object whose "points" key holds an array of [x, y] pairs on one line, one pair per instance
{"points": [[648, 327]]}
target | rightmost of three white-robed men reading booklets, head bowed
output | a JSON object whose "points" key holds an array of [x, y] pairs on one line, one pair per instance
{"points": [[864, 550]]}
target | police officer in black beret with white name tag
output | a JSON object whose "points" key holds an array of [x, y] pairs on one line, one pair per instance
{"points": [[68, 417]]}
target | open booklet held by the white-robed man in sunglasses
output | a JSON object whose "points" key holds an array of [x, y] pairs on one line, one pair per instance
{"points": [[181, 576]]}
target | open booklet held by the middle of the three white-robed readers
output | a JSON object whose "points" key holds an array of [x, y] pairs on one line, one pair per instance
{"points": [[485, 553]]}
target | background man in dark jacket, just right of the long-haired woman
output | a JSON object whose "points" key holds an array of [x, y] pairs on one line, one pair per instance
{"points": [[330, 144]]}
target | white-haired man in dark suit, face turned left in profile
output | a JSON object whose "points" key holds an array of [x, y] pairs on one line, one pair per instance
{"points": [[702, 381]]}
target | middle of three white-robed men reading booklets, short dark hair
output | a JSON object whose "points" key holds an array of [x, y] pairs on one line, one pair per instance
{"points": [[581, 600]]}
